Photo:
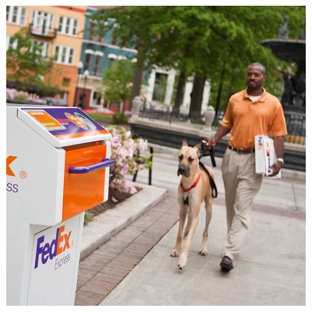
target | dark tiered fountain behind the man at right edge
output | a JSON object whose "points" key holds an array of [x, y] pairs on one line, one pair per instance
{"points": [[294, 94]]}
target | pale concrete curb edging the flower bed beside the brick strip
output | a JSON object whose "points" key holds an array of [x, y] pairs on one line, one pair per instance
{"points": [[107, 224]]}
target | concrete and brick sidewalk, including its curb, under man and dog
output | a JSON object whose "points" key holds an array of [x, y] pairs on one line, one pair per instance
{"points": [[132, 265]]}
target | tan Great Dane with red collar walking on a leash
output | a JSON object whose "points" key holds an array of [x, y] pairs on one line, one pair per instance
{"points": [[195, 187]]}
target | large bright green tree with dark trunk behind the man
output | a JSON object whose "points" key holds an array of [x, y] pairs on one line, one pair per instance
{"points": [[218, 43]]}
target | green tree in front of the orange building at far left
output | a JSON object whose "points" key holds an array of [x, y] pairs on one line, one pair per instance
{"points": [[25, 61]]}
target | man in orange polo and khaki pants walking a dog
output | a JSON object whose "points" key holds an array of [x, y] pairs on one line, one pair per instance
{"points": [[250, 112]]}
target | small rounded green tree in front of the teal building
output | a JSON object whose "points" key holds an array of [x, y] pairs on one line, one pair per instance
{"points": [[117, 81]]}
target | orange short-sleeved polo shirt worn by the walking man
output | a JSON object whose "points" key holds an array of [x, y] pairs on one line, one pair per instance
{"points": [[246, 118]]}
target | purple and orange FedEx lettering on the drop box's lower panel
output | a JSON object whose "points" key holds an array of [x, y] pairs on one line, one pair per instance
{"points": [[46, 251]]}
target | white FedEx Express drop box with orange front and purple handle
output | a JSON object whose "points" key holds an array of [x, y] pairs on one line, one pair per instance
{"points": [[58, 163]]}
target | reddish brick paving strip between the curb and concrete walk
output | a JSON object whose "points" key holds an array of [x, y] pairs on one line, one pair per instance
{"points": [[107, 266]]}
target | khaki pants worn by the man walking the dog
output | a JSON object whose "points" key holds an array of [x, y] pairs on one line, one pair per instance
{"points": [[241, 185]]}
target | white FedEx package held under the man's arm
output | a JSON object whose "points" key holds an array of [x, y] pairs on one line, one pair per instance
{"points": [[265, 155]]}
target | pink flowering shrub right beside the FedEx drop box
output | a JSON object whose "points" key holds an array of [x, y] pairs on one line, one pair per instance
{"points": [[127, 154]]}
